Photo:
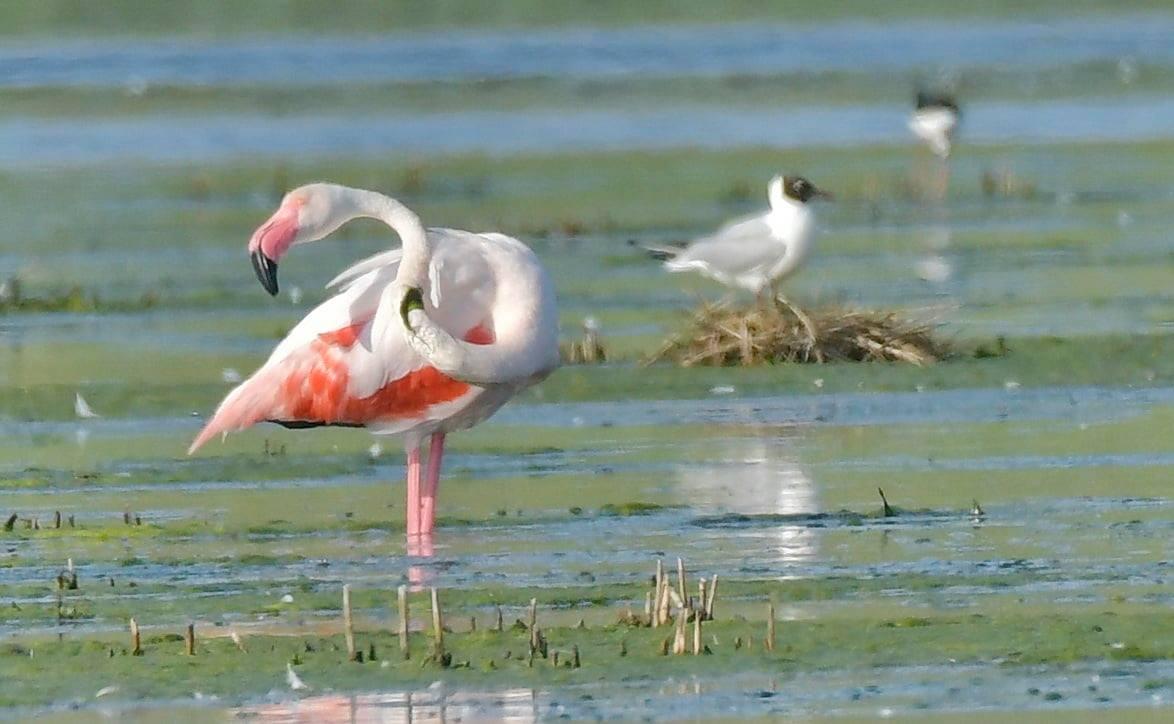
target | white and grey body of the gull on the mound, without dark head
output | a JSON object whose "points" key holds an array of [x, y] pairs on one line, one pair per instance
{"points": [[757, 252]]}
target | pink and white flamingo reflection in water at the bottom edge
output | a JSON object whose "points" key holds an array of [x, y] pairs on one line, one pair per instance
{"points": [[431, 705]]}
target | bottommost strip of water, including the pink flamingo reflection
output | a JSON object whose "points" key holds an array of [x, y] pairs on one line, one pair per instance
{"points": [[956, 691]]}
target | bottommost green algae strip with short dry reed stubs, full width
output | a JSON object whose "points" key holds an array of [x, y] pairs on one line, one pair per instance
{"points": [[84, 665]]}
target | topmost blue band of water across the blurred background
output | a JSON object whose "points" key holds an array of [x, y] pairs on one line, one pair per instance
{"points": [[650, 51]]}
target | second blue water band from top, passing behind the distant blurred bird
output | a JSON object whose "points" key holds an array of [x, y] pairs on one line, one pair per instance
{"points": [[178, 140]]}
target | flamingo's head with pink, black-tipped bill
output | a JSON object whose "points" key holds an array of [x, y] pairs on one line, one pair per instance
{"points": [[307, 214]]}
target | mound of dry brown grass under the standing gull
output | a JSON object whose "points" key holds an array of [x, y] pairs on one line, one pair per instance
{"points": [[720, 335]]}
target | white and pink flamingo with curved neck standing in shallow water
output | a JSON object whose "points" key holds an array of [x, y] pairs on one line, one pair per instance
{"points": [[421, 341]]}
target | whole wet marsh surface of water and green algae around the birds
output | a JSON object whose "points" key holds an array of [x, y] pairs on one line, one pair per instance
{"points": [[1049, 263]]}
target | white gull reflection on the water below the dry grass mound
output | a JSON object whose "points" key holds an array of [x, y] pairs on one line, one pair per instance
{"points": [[759, 477]]}
